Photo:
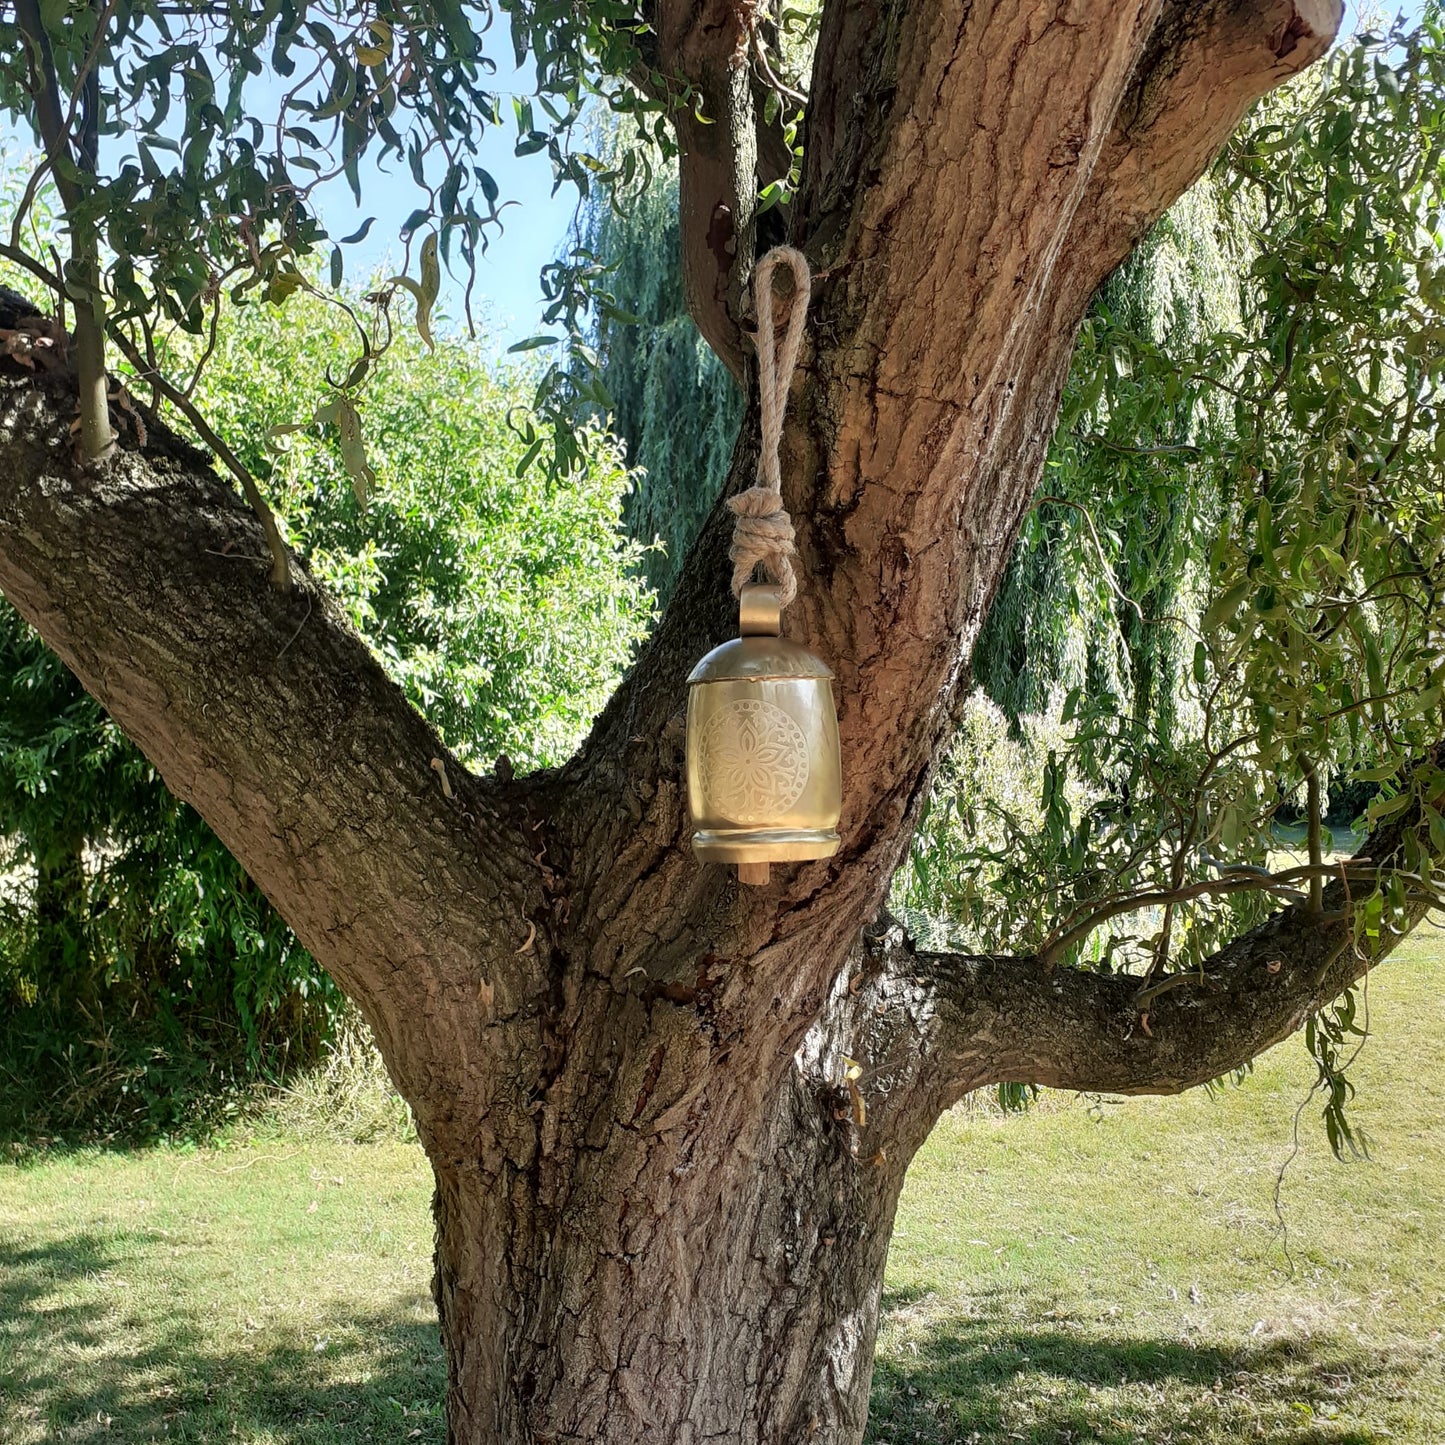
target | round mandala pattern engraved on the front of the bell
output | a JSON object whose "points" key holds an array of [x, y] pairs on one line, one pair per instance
{"points": [[755, 759]]}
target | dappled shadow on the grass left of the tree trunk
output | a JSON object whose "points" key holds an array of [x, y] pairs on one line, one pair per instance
{"points": [[76, 1368]]}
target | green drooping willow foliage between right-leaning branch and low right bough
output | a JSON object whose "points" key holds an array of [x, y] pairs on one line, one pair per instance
{"points": [[1236, 603]]}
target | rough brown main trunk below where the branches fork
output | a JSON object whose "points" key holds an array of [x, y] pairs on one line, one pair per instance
{"points": [[684, 1284]]}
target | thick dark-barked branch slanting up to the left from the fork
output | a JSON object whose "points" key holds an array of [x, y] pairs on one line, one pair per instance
{"points": [[267, 712]]}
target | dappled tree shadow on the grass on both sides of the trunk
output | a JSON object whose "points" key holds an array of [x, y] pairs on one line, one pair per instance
{"points": [[76, 1366]]}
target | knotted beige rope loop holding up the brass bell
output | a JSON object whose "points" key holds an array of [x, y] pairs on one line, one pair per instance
{"points": [[764, 532]]}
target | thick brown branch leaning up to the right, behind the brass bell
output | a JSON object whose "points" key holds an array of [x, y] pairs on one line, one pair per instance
{"points": [[963, 226]]}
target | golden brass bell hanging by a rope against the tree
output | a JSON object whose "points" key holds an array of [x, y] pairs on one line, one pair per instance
{"points": [[765, 782]]}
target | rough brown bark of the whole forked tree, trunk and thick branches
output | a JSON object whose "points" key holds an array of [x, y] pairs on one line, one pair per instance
{"points": [[660, 1213]]}
